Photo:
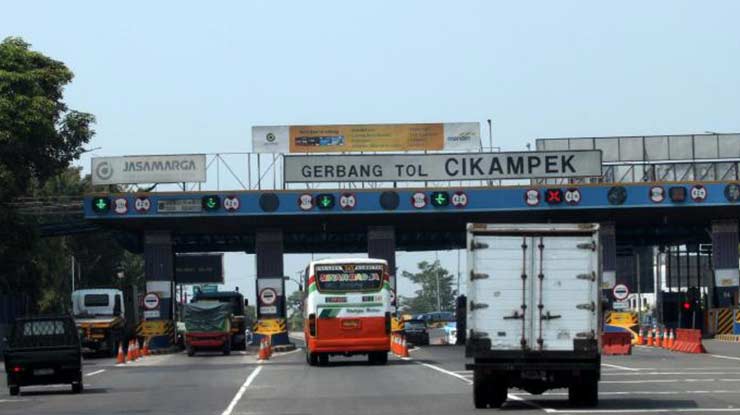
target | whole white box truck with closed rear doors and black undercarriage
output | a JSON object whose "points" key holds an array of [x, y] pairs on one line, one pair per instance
{"points": [[533, 310]]}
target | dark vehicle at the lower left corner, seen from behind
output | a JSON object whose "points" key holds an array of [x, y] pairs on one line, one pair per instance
{"points": [[43, 351]]}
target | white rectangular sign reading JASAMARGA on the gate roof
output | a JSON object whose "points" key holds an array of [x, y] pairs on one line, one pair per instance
{"points": [[179, 168]]}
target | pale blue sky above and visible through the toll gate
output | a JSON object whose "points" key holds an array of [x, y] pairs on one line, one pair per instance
{"points": [[172, 77]]}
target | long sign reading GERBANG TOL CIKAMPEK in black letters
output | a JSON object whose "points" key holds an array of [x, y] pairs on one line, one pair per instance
{"points": [[442, 167]]}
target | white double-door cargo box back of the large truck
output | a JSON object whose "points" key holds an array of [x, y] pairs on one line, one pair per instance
{"points": [[533, 287]]}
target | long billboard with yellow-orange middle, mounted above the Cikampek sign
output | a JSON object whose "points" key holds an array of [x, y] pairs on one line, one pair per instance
{"points": [[356, 138]]}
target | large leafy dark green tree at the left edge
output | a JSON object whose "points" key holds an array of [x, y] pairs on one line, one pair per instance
{"points": [[39, 137]]}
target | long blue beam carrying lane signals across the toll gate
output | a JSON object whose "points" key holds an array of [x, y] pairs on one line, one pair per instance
{"points": [[504, 199]]}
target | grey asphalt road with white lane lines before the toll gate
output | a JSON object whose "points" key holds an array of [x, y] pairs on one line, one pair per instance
{"points": [[432, 381]]}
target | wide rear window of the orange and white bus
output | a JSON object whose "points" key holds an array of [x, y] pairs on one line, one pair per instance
{"points": [[349, 277]]}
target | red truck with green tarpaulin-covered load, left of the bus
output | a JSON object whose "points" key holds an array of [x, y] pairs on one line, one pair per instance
{"points": [[207, 327]]}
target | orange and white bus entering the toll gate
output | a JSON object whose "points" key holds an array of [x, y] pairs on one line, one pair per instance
{"points": [[347, 309]]}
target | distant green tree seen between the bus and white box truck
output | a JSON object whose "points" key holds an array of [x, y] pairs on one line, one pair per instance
{"points": [[433, 279]]}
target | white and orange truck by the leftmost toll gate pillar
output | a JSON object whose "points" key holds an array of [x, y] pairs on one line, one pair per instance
{"points": [[100, 317]]}
